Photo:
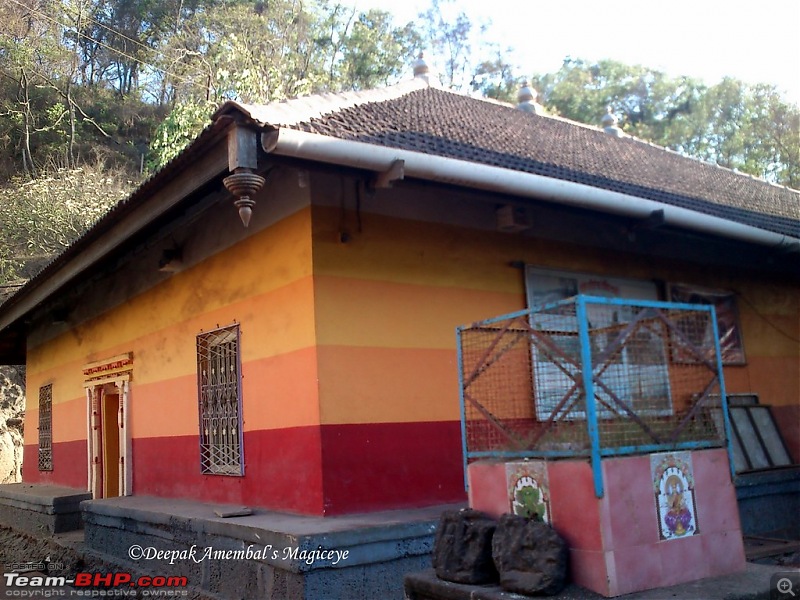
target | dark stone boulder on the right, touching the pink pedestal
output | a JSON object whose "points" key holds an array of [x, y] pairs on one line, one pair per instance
{"points": [[530, 556]]}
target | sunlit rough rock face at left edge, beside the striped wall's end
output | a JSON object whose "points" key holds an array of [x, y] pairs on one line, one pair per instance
{"points": [[12, 416]]}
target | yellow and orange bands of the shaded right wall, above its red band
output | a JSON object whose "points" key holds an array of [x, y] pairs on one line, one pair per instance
{"points": [[388, 301]]}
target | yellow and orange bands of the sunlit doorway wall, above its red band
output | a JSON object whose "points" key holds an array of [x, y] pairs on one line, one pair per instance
{"points": [[264, 283]]}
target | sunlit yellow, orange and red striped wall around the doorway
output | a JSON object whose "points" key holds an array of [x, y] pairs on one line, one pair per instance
{"points": [[264, 283]]}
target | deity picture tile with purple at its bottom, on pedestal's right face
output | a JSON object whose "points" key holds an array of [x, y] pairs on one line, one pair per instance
{"points": [[674, 485]]}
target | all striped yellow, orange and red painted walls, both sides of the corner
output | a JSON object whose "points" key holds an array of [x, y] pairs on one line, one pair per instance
{"points": [[348, 348]]}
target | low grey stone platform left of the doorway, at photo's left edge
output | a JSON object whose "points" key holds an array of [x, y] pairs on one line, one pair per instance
{"points": [[41, 508]]}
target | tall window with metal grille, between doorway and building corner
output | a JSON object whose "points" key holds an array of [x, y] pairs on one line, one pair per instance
{"points": [[220, 401]]}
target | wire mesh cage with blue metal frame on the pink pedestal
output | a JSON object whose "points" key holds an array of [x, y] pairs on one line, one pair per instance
{"points": [[620, 376]]}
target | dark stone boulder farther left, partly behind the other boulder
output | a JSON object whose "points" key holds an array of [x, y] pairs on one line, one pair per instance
{"points": [[462, 551]]}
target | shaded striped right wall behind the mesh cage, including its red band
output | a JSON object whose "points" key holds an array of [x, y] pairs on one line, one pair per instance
{"points": [[387, 303]]}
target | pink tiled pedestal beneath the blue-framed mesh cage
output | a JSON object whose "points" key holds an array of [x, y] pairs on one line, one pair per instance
{"points": [[619, 543]]}
